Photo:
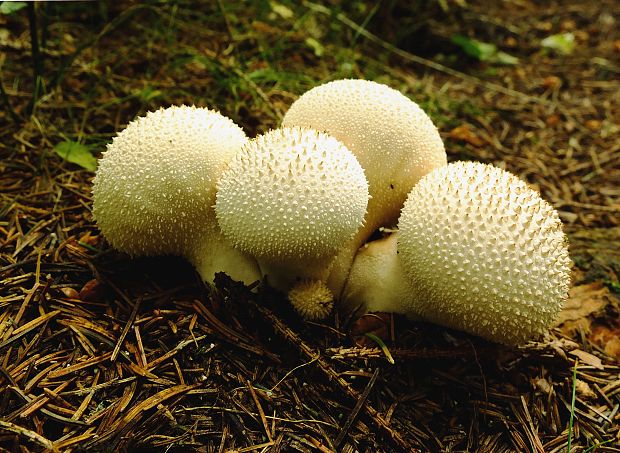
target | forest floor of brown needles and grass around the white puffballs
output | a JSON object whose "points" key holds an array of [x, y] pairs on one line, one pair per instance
{"points": [[101, 352]]}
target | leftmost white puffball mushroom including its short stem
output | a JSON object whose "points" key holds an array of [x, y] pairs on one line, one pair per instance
{"points": [[154, 190]]}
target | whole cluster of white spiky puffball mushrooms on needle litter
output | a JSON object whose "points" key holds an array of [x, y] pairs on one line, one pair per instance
{"points": [[468, 245]]}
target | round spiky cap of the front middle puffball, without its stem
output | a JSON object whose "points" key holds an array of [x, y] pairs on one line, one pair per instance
{"points": [[291, 193]]}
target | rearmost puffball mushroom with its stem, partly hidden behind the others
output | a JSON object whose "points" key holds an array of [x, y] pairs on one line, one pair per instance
{"points": [[394, 140]]}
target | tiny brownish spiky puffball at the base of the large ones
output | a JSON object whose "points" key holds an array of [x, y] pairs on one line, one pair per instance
{"points": [[312, 299]]}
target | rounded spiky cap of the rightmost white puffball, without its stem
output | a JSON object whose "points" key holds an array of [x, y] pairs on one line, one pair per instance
{"points": [[485, 252]]}
